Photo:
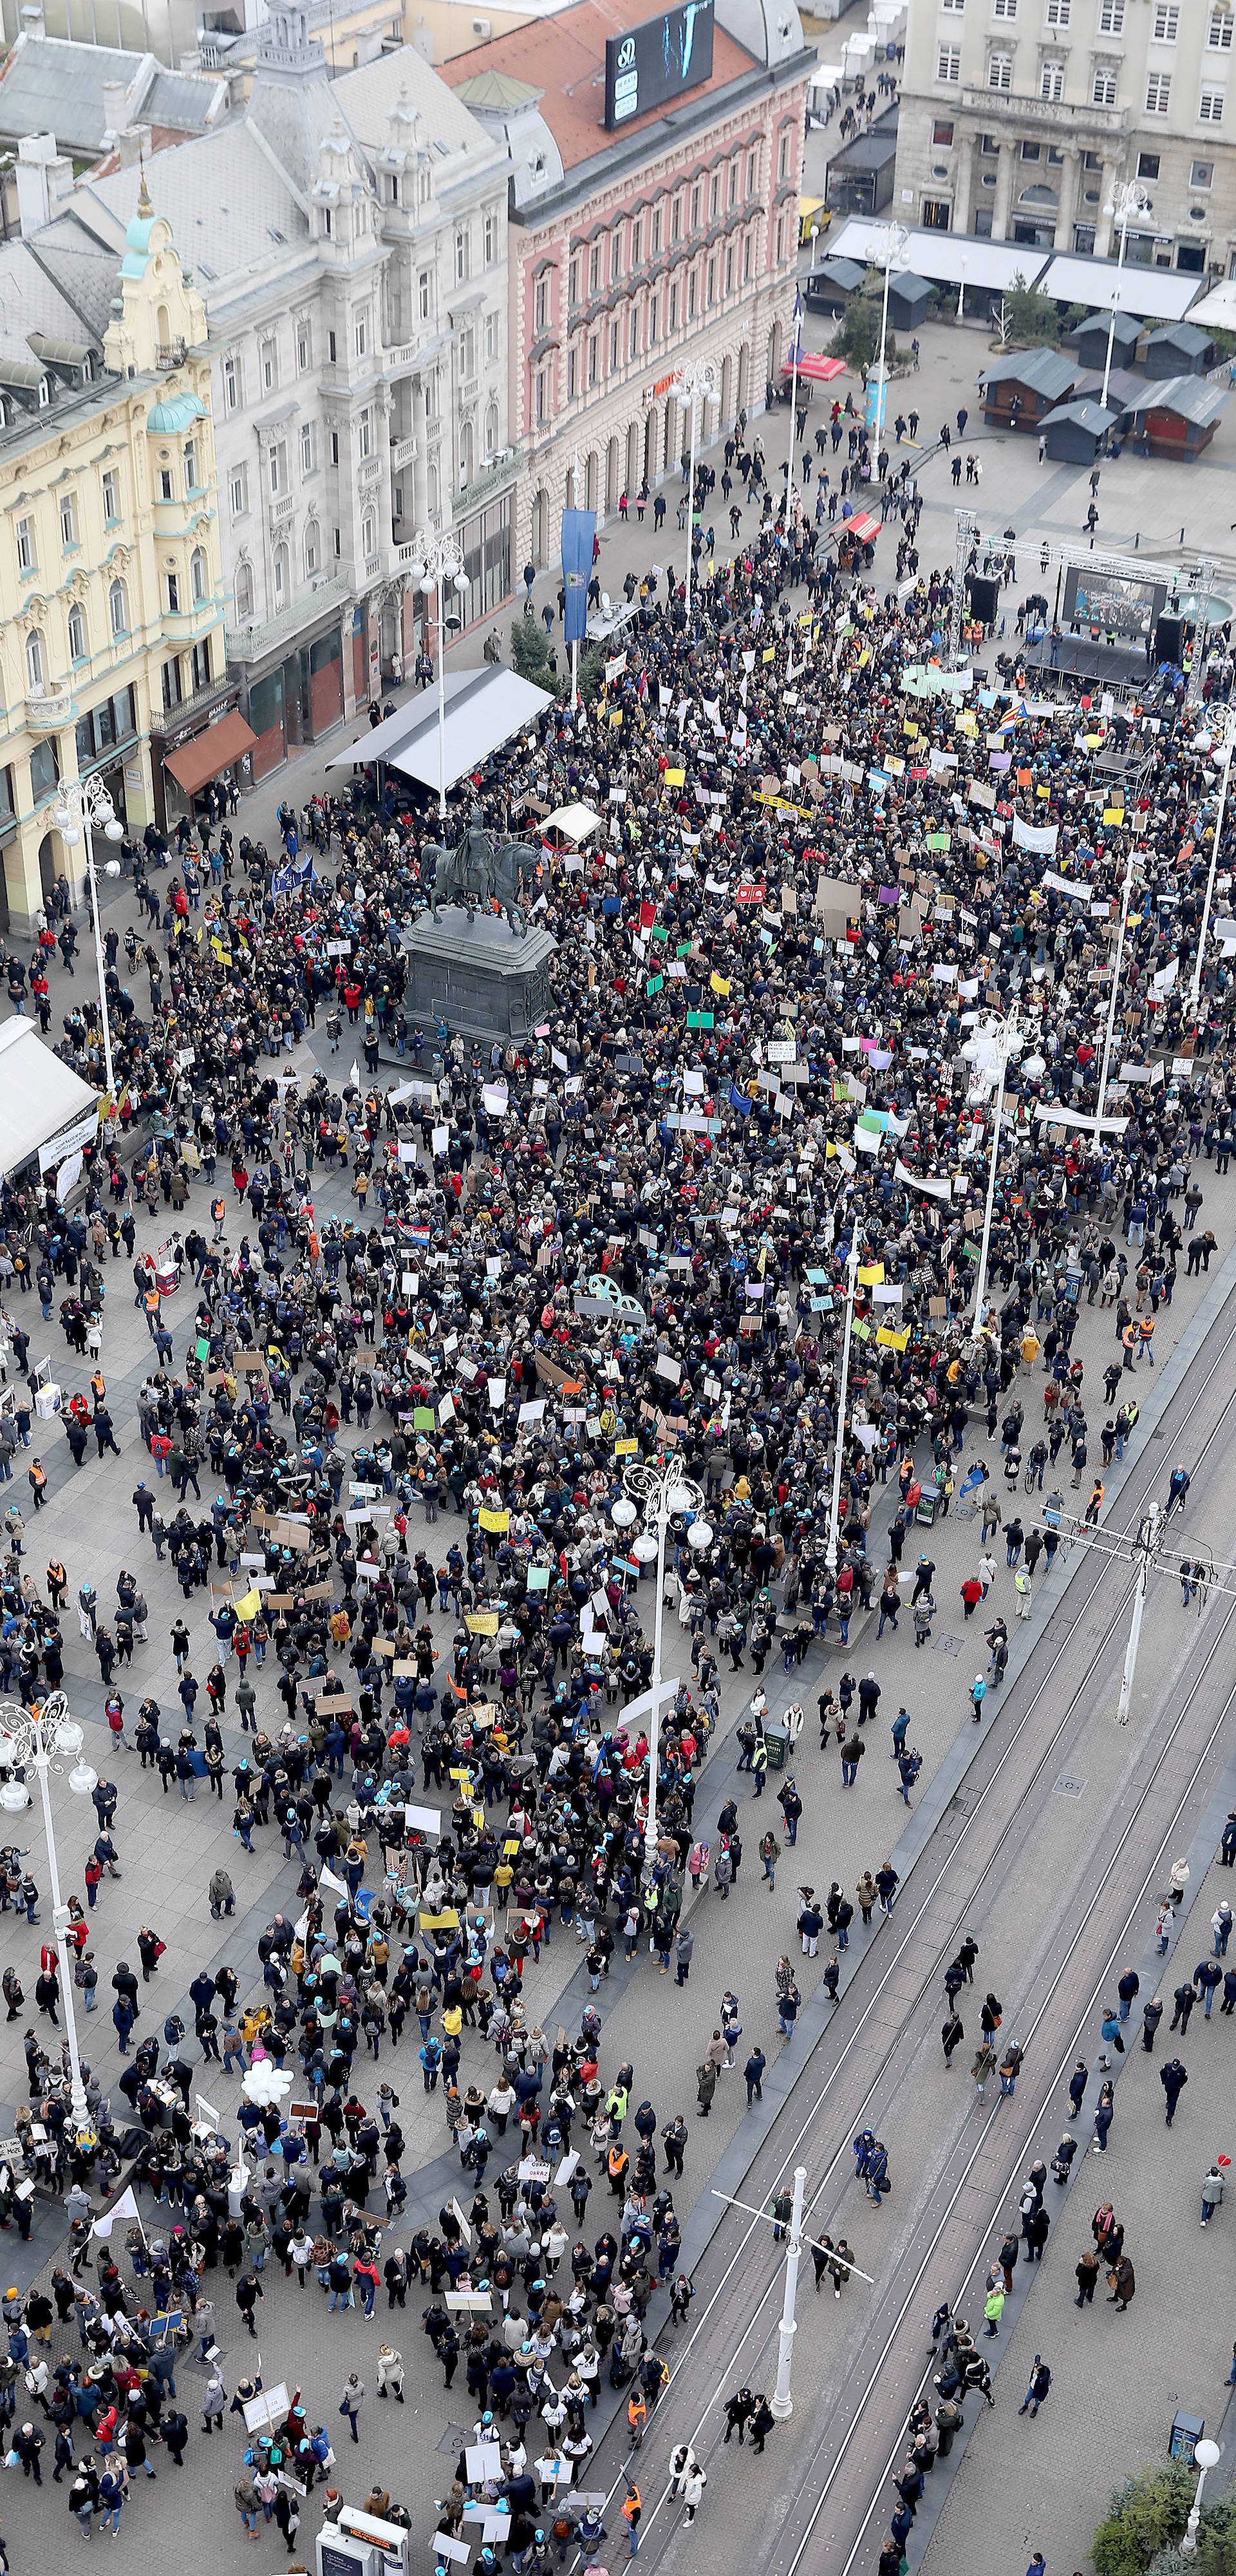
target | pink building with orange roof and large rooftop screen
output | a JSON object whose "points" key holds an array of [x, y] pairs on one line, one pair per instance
{"points": [[655, 171]]}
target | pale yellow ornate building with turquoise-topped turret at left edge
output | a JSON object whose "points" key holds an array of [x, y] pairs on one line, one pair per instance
{"points": [[112, 601]]}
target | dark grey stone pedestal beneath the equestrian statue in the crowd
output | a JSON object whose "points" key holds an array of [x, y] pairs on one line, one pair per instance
{"points": [[478, 975]]}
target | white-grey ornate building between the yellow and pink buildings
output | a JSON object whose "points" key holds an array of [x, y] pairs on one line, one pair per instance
{"points": [[349, 241]]}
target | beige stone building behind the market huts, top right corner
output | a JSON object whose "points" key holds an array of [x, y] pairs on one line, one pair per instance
{"points": [[1021, 115]]}
